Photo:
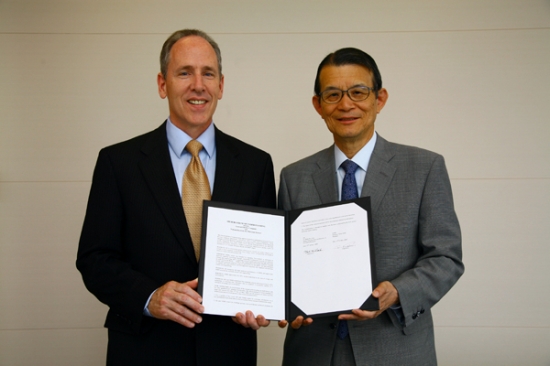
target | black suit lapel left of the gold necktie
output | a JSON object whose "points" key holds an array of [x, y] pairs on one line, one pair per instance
{"points": [[158, 173]]}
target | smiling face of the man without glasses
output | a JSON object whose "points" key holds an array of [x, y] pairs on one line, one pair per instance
{"points": [[193, 85]]}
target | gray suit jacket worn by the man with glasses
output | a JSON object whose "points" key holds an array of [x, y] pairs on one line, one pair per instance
{"points": [[417, 247]]}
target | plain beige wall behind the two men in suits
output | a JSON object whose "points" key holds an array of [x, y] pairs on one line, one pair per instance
{"points": [[469, 79]]}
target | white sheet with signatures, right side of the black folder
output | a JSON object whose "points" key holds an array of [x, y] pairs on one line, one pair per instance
{"points": [[330, 259]]}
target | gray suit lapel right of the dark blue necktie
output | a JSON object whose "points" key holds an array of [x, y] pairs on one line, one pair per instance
{"points": [[379, 173]]}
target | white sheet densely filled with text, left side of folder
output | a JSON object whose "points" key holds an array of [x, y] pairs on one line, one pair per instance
{"points": [[244, 263]]}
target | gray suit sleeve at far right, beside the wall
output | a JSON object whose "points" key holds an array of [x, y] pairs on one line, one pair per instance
{"points": [[439, 265]]}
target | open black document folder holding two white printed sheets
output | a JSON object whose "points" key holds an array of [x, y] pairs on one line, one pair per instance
{"points": [[316, 261]]}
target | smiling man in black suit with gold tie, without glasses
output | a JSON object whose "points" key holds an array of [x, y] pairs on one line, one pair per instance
{"points": [[136, 251]]}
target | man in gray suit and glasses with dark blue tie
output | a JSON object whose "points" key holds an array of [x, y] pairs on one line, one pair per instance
{"points": [[416, 233]]}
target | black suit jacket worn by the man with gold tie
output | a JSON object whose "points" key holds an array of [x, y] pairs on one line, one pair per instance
{"points": [[135, 239]]}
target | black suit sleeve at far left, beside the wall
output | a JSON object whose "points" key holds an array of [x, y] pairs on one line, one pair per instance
{"points": [[100, 257]]}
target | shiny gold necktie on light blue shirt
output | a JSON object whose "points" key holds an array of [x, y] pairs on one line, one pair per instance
{"points": [[195, 189]]}
